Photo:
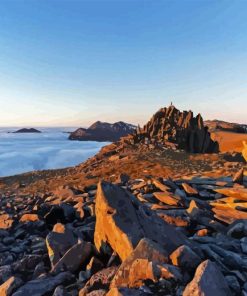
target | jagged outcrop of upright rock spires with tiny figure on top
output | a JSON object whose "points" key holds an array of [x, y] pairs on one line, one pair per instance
{"points": [[169, 126]]}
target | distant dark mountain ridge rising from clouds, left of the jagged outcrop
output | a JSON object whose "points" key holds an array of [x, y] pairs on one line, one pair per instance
{"points": [[103, 131]]}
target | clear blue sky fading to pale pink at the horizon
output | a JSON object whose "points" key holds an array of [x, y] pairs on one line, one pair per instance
{"points": [[71, 62]]}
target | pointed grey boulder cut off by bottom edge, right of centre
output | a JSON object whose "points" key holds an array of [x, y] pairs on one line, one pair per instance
{"points": [[208, 281]]}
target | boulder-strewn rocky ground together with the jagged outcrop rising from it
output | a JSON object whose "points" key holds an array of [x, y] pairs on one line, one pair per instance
{"points": [[141, 217]]}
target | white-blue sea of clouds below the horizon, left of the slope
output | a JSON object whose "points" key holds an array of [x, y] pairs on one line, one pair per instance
{"points": [[51, 149]]}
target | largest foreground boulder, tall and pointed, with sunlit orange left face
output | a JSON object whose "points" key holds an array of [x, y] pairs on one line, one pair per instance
{"points": [[122, 221]]}
